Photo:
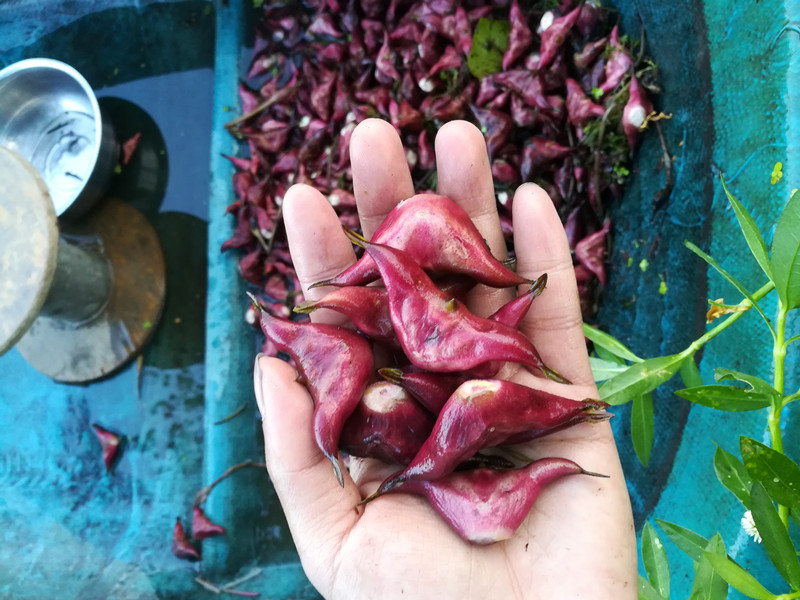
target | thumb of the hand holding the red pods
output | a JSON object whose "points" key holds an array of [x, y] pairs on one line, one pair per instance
{"points": [[319, 512]]}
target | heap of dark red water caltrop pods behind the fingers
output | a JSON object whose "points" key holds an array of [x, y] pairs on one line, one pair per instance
{"points": [[548, 87]]}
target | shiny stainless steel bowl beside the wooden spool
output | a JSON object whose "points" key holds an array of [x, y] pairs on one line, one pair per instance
{"points": [[50, 115]]}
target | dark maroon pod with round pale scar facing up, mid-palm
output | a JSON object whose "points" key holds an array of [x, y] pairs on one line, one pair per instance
{"points": [[388, 424]]}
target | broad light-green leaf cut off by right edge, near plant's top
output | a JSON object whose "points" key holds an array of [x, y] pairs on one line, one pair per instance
{"points": [[786, 253]]}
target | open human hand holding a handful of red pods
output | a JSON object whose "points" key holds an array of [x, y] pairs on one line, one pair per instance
{"points": [[578, 540]]}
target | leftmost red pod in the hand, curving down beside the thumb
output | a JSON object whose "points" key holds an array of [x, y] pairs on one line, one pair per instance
{"points": [[335, 365]]}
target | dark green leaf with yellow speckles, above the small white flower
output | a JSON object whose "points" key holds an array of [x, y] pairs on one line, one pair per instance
{"points": [[778, 473]]}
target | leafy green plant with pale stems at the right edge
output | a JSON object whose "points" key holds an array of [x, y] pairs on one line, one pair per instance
{"points": [[764, 479]]}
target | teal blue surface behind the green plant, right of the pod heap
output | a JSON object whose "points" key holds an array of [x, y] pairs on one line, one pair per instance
{"points": [[730, 85]]}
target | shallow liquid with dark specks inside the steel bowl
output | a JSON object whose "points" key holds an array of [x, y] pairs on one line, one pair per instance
{"points": [[65, 155]]}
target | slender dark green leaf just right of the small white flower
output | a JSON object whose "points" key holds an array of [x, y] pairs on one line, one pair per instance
{"points": [[774, 535]]}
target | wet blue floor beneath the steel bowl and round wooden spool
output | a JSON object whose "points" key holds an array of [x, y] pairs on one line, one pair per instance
{"points": [[68, 529]]}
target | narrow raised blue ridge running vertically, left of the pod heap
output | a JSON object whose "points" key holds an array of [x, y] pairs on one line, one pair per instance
{"points": [[245, 503]]}
